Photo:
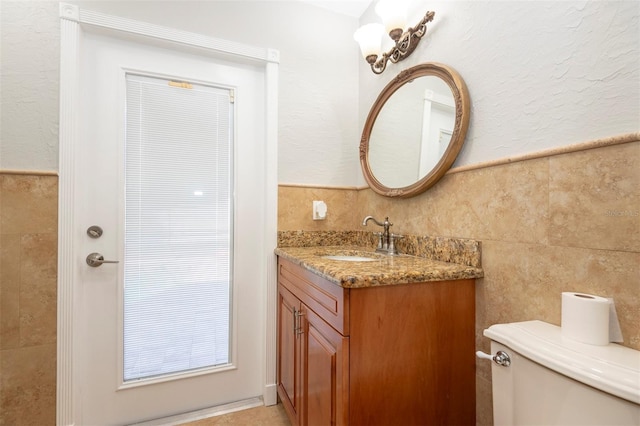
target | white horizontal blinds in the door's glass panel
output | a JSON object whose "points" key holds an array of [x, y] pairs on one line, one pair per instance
{"points": [[178, 227]]}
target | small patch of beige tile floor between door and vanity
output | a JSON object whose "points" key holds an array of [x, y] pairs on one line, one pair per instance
{"points": [[259, 416]]}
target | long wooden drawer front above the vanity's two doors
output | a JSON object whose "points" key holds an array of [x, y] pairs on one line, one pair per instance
{"points": [[328, 300]]}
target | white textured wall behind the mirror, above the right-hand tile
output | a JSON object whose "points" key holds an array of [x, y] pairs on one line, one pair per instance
{"points": [[541, 74]]}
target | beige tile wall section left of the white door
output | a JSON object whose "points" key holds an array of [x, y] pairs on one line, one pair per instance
{"points": [[28, 259]]}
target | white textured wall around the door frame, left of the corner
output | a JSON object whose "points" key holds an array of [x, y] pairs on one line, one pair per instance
{"points": [[318, 77]]}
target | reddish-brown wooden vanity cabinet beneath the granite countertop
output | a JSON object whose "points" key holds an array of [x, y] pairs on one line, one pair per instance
{"points": [[385, 355]]}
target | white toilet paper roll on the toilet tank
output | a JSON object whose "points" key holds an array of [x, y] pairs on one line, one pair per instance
{"points": [[589, 319]]}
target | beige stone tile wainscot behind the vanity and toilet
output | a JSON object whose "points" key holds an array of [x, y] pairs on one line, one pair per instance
{"points": [[567, 222]]}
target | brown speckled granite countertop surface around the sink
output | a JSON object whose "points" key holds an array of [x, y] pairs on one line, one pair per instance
{"points": [[386, 270]]}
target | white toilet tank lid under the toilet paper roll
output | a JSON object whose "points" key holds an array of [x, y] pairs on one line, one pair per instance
{"points": [[613, 368]]}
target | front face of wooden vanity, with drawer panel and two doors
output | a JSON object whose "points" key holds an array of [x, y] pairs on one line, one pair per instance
{"points": [[313, 352]]}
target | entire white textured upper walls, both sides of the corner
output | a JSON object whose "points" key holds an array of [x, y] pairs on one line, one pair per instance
{"points": [[540, 74]]}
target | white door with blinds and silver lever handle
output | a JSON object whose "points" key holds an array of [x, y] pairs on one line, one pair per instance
{"points": [[171, 210]]}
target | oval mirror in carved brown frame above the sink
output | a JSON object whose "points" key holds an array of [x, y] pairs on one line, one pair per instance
{"points": [[415, 130]]}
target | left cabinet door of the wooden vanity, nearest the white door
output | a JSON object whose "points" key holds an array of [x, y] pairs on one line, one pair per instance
{"points": [[289, 354]]}
